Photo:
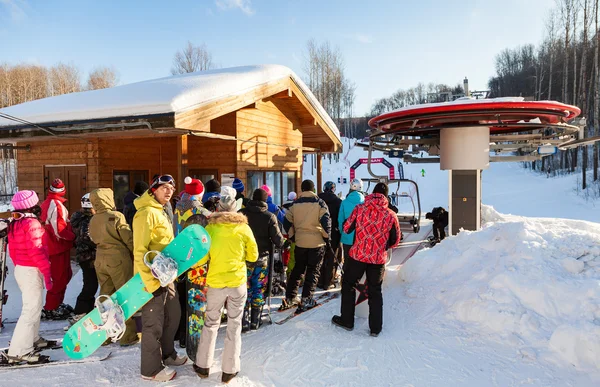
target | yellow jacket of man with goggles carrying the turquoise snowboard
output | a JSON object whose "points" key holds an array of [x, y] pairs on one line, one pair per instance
{"points": [[152, 230]]}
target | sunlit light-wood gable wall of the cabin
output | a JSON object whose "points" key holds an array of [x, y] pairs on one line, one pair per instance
{"points": [[266, 123]]}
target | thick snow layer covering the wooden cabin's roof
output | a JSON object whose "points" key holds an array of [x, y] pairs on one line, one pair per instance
{"points": [[165, 95]]}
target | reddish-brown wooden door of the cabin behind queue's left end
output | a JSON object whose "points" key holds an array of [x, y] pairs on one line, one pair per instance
{"points": [[74, 178]]}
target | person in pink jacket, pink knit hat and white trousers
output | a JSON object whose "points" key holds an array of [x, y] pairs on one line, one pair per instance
{"points": [[32, 270]]}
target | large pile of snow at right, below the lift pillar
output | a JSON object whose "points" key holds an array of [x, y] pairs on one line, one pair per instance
{"points": [[532, 283]]}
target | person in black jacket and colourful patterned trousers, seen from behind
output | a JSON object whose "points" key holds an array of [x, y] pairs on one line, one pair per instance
{"points": [[266, 232]]}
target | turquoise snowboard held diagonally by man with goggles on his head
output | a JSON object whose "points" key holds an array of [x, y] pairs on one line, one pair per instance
{"points": [[87, 335]]}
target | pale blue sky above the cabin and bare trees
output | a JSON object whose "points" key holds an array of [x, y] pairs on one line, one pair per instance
{"points": [[386, 44]]}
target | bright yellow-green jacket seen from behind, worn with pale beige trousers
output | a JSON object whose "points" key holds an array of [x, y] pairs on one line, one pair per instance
{"points": [[232, 244]]}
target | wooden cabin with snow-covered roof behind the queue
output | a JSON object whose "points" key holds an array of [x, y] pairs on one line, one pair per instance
{"points": [[253, 122]]}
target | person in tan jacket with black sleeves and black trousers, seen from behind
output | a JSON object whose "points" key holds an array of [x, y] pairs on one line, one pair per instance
{"points": [[307, 223]]}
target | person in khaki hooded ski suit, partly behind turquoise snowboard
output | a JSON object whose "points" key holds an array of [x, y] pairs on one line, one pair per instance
{"points": [[114, 250]]}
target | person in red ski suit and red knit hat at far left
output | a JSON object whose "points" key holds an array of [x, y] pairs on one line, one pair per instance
{"points": [[58, 238]]}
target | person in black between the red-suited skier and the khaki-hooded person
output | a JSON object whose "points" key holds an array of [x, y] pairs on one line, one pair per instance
{"points": [[85, 256]]}
